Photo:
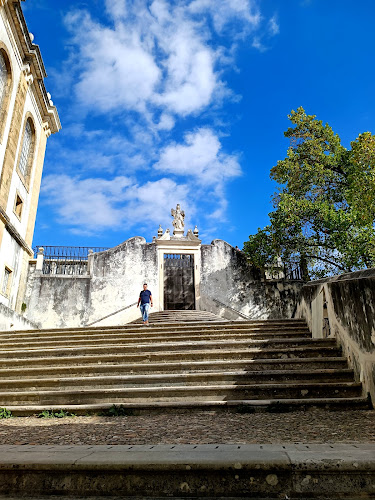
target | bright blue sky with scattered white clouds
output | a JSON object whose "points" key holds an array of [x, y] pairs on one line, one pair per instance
{"points": [[166, 102]]}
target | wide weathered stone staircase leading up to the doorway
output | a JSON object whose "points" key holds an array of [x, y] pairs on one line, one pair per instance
{"points": [[248, 365]]}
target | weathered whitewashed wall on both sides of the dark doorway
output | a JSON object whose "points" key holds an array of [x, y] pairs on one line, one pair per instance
{"points": [[107, 295]]}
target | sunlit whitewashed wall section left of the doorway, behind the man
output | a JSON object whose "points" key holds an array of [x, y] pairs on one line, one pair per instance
{"points": [[106, 296]]}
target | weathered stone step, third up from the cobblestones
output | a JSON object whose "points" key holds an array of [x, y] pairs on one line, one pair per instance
{"points": [[170, 379]]}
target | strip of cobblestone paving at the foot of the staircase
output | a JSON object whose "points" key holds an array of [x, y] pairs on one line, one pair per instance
{"points": [[313, 426]]}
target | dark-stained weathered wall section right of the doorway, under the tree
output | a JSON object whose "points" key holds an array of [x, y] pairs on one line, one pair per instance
{"points": [[233, 289]]}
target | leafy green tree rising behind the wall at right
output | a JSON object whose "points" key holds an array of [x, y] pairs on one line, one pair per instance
{"points": [[325, 207]]}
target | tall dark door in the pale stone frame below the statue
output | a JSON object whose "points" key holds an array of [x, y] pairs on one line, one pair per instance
{"points": [[179, 282]]}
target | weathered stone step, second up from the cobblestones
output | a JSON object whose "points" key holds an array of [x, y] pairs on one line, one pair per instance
{"points": [[175, 393]]}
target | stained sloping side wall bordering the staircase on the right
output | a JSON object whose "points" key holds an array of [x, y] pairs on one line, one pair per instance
{"points": [[348, 302]]}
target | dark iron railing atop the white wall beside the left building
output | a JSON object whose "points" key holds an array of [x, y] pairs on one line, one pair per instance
{"points": [[65, 260]]}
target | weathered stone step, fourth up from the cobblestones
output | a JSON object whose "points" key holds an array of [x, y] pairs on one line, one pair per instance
{"points": [[101, 367]]}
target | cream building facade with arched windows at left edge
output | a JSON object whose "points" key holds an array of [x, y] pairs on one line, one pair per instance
{"points": [[27, 118]]}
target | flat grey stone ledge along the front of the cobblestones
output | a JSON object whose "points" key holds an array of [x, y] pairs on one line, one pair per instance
{"points": [[343, 457]]}
